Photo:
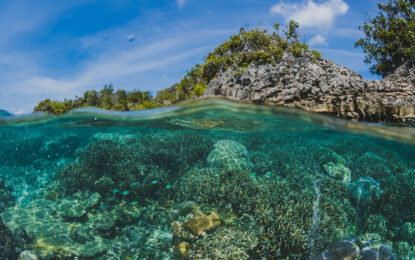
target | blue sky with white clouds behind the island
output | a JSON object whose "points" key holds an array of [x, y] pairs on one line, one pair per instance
{"points": [[58, 49]]}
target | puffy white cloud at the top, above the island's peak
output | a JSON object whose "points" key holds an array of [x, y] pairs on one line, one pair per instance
{"points": [[312, 14]]}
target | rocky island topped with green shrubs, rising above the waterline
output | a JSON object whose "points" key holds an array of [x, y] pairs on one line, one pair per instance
{"points": [[266, 68]]}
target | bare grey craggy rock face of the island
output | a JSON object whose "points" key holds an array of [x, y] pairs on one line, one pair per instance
{"points": [[319, 85]]}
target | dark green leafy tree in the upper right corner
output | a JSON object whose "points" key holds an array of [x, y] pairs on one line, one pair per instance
{"points": [[389, 38]]}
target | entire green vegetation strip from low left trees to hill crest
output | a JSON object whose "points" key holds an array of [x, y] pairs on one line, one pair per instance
{"points": [[249, 46]]}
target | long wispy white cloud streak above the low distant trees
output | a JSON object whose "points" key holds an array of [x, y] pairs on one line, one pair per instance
{"points": [[104, 70]]}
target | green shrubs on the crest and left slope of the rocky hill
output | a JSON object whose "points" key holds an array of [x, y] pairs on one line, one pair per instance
{"points": [[254, 46]]}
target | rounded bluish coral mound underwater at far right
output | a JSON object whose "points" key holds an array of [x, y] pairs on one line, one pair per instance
{"points": [[364, 192]]}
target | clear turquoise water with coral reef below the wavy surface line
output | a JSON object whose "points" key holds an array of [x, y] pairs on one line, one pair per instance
{"points": [[210, 180]]}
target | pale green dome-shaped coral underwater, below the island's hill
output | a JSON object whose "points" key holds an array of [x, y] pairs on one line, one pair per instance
{"points": [[229, 155]]}
